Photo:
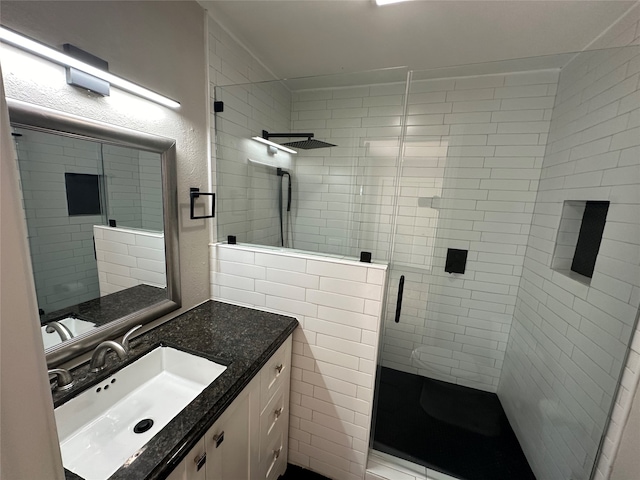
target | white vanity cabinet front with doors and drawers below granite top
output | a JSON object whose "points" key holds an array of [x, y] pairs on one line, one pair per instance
{"points": [[250, 439]]}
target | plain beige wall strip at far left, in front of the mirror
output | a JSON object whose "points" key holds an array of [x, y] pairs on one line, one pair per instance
{"points": [[26, 416]]}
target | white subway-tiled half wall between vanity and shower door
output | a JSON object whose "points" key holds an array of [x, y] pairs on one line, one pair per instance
{"points": [[338, 304]]}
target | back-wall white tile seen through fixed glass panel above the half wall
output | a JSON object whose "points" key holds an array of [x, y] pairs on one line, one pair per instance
{"points": [[345, 194]]}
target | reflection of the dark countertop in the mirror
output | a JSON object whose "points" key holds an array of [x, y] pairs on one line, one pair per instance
{"points": [[116, 305]]}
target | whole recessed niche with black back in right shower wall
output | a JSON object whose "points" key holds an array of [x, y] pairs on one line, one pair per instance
{"points": [[579, 237]]}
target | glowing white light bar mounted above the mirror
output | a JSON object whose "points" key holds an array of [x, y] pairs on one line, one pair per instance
{"points": [[17, 40]]}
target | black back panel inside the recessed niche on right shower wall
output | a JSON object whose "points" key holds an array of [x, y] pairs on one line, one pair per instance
{"points": [[589, 238]]}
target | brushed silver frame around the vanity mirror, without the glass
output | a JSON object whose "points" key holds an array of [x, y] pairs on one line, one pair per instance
{"points": [[35, 117]]}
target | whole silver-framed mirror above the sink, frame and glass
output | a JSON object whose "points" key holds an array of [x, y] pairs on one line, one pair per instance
{"points": [[100, 204]]}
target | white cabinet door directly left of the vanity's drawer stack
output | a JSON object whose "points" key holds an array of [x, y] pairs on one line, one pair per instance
{"points": [[228, 443]]}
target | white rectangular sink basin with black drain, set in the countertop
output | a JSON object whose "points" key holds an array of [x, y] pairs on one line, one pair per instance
{"points": [[98, 428]]}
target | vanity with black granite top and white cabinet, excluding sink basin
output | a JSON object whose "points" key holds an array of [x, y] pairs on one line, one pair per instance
{"points": [[238, 426]]}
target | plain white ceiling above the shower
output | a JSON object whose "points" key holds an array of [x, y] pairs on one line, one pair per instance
{"points": [[298, 38]]}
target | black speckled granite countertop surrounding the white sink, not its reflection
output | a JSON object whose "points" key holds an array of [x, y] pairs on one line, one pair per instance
{"points": [[240, 337]]}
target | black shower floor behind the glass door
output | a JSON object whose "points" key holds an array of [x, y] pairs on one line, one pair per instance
{"points": [[456, 430]]}
